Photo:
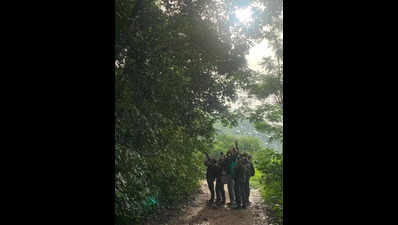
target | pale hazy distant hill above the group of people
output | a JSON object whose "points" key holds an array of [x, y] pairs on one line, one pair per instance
{"points": [[245, 128]]}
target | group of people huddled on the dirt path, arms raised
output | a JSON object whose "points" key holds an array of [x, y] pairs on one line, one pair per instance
{"points": [[234, 169]]}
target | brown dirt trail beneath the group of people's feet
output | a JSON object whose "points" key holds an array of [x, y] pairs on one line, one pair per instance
{"points": [[198, 212]]}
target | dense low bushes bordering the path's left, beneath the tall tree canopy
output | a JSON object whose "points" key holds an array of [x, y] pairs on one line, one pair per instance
{"points": [[144, 183]]}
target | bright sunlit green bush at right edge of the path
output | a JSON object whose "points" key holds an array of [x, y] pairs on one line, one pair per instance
{"points": [[270, 163]]}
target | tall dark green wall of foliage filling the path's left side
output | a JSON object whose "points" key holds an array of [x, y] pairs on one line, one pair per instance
{"points": [[177, 64]]}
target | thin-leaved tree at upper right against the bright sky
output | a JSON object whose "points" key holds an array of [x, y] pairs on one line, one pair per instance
{"points": [[267, 86]]}
